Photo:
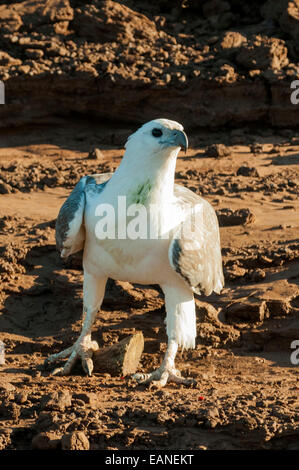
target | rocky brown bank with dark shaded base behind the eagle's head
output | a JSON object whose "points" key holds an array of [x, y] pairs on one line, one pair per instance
{"points": [[210, 63]]}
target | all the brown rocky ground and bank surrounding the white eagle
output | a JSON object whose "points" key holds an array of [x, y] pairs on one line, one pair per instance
{"points": [[79, 77]]}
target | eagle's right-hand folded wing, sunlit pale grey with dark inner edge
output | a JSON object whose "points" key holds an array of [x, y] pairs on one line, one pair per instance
{"points": [[194, 250]]}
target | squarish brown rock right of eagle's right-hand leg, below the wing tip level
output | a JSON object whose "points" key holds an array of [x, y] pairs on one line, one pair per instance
{"points": [[249, 310]]}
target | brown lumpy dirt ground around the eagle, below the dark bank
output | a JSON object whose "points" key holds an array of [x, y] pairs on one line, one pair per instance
{"points": [[247, 387]]}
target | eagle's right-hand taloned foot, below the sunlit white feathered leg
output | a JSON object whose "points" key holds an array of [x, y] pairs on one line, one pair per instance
{"points": [[161, 376]]}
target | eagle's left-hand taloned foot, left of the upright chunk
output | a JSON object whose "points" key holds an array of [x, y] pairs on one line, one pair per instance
{"points": [[83, 348]]}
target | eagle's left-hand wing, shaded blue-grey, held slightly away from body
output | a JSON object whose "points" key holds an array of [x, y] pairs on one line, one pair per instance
{"points": [[70, 230]]}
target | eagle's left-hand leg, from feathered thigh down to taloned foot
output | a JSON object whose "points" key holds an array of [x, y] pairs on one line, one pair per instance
{"points": [[84, 347]]}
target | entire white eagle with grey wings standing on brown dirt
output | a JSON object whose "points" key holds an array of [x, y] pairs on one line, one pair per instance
{"points": [[181, 261]]}
